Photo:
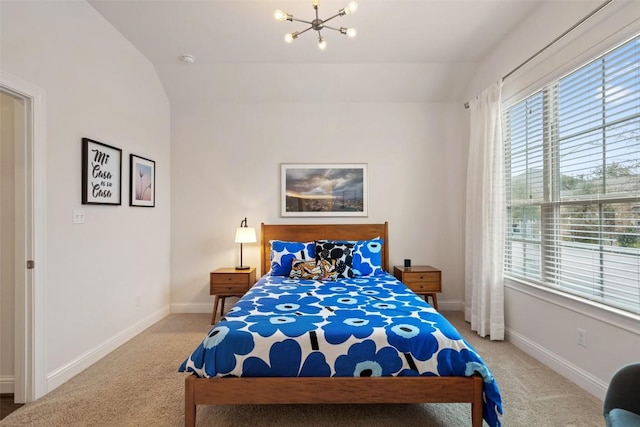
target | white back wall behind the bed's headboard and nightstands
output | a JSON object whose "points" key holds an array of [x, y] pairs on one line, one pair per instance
{"points": [[226, 165]]}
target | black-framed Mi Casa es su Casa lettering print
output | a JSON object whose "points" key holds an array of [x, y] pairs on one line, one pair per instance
{"points": [[101, 173]]}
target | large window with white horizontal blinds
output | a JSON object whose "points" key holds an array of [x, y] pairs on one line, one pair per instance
{"points": [[573, 182]]}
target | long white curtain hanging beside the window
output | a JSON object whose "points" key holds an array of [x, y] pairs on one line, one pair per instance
{"points": [[484, 278]]}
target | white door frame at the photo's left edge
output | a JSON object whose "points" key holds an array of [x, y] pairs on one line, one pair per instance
{"points": [[30, 348]]}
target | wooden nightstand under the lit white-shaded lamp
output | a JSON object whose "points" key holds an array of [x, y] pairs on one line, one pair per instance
{"points": [[229, 282]]}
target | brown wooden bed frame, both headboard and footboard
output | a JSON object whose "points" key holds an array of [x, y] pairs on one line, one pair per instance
{"points": [[262, 390]]}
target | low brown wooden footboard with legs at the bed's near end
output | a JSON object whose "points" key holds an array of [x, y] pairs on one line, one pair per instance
{"points": [[222, 391]]}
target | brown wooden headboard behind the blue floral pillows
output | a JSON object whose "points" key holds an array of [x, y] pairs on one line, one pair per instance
{"points": [[310, 232]]}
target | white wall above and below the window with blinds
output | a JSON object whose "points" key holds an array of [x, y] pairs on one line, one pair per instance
{"points": [[540, 322]]}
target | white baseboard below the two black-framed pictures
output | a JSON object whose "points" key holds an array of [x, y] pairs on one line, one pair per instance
{"points": [[82, 362]]}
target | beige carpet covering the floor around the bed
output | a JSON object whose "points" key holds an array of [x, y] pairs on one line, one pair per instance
{"points": [[138, 385]]}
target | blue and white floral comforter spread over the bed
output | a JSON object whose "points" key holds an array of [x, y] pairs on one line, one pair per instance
{"points": [[366, 326]]}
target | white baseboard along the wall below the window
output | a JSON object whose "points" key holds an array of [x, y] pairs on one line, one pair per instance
{"points": [[562, 366]]}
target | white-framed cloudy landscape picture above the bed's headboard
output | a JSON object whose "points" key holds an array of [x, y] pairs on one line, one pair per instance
{"points": [[324, 189]]}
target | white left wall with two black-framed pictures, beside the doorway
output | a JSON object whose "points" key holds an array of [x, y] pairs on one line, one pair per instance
{"points": [[98, 86]]}
